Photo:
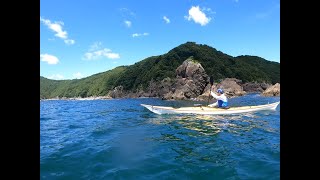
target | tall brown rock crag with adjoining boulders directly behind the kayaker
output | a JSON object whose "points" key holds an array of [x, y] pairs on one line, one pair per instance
{"points": [[192, 82]]}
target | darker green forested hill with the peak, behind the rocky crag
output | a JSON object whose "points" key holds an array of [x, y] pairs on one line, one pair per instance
{"points": [[216, 63]]}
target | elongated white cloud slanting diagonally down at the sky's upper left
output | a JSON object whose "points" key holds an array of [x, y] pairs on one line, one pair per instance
{"points": [[57, 28]]}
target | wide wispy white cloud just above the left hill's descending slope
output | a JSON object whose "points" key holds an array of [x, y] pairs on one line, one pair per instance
{"points": [[96, 51]]}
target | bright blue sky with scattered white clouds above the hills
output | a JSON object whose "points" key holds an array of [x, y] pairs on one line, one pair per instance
{"points": [[79, 38]]}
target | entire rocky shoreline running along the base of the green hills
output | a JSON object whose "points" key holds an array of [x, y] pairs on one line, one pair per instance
{"points": [[191, 83]]}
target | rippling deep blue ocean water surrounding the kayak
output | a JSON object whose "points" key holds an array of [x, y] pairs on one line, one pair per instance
{"points": [[119, 139]]}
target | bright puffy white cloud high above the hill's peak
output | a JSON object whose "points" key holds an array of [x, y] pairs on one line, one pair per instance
{"points": [[198, 16]]}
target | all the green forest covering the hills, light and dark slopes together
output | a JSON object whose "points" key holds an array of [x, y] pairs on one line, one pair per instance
{"points": [[156, 68]]}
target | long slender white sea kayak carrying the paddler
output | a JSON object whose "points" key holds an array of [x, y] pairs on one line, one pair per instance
{"points": [[209, 110]]}
